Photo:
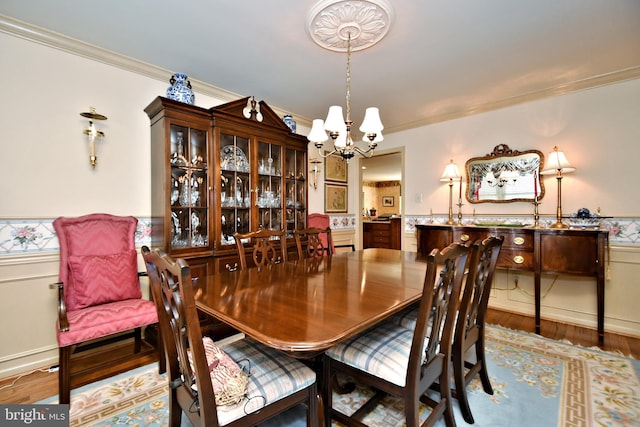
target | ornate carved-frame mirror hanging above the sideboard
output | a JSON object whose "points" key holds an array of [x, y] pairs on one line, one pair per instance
{"points": [[504, 176]]}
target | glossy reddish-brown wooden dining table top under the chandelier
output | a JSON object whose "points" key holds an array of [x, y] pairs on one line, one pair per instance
{"points": [[305, 307]]}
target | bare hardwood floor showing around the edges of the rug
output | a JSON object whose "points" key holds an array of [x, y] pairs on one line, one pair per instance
{"points": [[40, 384]]}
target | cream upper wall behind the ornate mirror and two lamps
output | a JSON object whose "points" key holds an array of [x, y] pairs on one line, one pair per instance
{"points": [[597, 129]]}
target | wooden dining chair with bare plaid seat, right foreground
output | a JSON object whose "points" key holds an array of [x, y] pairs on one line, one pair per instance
{"points": [[406, 363]]}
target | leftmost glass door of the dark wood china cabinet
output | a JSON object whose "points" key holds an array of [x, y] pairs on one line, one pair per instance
{"points": [[189, 187]]}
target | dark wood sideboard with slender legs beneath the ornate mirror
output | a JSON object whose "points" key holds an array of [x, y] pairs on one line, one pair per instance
{"points": [[540, 250]]}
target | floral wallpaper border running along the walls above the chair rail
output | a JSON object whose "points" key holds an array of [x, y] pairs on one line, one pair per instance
{"points": [[20, 236]]}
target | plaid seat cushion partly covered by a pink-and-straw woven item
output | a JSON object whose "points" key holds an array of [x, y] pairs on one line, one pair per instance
{"points": [[272, 376]]}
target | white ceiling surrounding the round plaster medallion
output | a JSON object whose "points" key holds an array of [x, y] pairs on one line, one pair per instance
{"points": [[441, 58]]}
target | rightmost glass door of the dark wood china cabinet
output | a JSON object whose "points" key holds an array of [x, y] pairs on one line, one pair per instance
{"points": [[296, 190]]}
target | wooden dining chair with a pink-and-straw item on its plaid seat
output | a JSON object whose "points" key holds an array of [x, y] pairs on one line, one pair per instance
{"points": [[275, 383]]}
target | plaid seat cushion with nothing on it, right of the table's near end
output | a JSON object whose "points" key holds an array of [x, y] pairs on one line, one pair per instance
{"points": [[382, 351]]}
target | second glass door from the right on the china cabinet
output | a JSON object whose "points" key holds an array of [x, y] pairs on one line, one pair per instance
{"points": [[269, 190]]}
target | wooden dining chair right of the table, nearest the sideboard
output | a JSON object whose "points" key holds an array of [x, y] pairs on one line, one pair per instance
{"points": [[470, 324]]}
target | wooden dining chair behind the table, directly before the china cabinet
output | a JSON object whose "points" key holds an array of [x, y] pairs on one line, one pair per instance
{"points": [[267, 247]]}
